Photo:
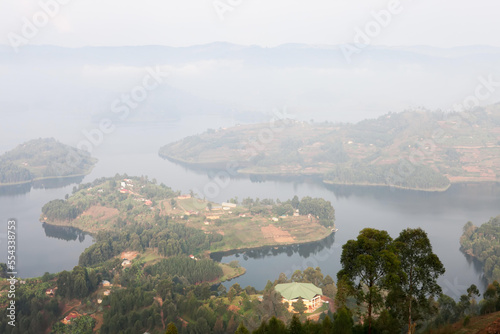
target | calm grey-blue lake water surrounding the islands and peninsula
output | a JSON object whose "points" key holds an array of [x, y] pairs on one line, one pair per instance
{"points": [[133, 149]]}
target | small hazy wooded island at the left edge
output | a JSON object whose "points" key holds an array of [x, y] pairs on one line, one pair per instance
{"points": [[42, 159]]}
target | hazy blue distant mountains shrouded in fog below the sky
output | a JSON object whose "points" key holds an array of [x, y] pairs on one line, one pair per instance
{"points": [[311, 81]]}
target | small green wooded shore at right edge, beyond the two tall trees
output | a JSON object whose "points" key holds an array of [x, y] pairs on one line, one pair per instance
{"points": [[483, 244]]}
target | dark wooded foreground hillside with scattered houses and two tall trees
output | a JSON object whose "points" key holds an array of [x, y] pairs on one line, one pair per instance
{"points": [[380, 289]]}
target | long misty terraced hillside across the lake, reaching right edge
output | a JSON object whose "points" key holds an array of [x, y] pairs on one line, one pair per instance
{"points": [[419, 150]]}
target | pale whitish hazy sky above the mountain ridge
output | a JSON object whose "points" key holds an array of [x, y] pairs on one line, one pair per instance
{"points": [[444, 23]]}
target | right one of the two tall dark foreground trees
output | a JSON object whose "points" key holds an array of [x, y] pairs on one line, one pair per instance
{"points": [[420, 269]]}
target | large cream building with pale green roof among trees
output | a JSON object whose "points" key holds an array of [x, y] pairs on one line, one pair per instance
{"points": [[310, 294]]}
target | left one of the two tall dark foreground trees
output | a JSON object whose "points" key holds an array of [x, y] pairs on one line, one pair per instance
{"points": [[371, 260]]}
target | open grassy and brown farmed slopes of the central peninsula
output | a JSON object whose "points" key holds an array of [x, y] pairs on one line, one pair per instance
{"points": [[108, 205]]}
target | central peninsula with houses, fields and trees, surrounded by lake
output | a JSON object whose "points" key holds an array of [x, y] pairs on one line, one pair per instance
{"points": [[154, 216]]}
